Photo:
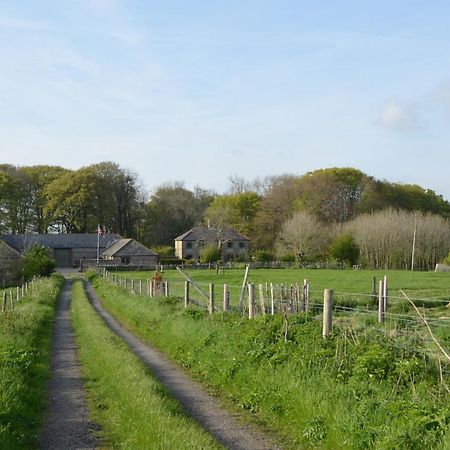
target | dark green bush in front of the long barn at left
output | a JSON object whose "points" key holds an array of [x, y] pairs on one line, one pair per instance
{"points": [[36, 262]]}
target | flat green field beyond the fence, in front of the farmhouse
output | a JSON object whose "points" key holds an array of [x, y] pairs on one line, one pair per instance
{"points": [[345, 283]]}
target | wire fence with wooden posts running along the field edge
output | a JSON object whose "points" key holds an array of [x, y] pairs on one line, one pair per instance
{"points": [[399, 327]]}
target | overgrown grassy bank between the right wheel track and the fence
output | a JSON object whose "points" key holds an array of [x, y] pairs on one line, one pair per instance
{"points": [[354, 391]]}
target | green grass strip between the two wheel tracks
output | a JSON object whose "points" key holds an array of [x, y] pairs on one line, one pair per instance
{"points": [[131, 407]]}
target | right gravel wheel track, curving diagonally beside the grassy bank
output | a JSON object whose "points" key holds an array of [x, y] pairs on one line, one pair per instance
{"points": [[221, 424]]}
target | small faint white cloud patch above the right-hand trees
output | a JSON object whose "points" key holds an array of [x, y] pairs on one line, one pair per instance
{"points": [[400, 116]]}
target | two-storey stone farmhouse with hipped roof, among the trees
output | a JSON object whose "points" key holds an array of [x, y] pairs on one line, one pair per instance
{"points": [[235, 246]]}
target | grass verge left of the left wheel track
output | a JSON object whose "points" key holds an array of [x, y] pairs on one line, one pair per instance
{"points": [[25, 350]]}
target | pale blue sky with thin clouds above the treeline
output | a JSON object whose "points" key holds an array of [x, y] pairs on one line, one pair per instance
{"points": [[198, 91]]}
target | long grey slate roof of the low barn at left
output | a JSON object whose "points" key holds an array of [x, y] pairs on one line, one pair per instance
{"points": [[63, 240]]}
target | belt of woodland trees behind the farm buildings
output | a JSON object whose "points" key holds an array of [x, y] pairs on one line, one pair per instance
{"points": [[336, 214]]}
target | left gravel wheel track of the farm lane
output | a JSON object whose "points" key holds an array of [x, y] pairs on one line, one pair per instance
{"points": [[67, 425]]}
